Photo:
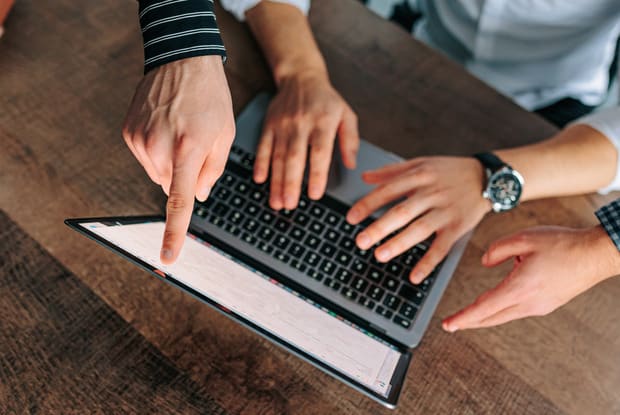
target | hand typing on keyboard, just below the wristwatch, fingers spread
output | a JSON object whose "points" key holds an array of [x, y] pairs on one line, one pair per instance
{"points": [[442, 196]]}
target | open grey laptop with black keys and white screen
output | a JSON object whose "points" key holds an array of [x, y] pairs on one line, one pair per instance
{"points": [[295, 277]]}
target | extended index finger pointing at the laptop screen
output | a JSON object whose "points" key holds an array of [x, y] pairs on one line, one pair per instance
{"points": [[180, 205]]}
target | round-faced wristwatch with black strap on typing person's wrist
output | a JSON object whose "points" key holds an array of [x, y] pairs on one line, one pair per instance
{"points": [[504, 184]]}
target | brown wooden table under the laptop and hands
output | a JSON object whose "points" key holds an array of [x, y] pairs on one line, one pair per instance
{"points": [[67, 73]]}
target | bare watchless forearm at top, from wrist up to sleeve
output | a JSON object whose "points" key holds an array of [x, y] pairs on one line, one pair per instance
{"points": [[286, 39]]}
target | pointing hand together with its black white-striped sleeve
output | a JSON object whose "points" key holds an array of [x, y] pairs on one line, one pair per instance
{"points": [[180, 123]]}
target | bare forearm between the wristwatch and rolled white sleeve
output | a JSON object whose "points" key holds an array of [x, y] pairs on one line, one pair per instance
{"points": [[577, 160]]}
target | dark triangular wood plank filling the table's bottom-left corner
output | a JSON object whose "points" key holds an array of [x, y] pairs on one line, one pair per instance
{"points": [[64, 350]]}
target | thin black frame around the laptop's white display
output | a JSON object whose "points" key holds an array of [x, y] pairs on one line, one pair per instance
{"points": [[398, 377]]}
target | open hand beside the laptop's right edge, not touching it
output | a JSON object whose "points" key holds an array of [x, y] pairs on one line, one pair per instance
{"points": [[552, 265]]}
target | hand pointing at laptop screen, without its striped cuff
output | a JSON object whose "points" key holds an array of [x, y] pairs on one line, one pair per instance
{"points": [[180, 127]]}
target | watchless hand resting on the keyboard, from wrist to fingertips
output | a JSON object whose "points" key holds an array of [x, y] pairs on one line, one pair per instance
{"points": [[306, 112]]}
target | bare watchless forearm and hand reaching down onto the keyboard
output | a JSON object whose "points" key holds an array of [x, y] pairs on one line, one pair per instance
{"points": [[307, 113]]}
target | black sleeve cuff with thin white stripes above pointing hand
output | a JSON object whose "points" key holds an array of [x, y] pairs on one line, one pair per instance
{"points": [[178, 29]]}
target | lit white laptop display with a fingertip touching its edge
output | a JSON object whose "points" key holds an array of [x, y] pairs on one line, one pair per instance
{"points": [[306, 327]]}
